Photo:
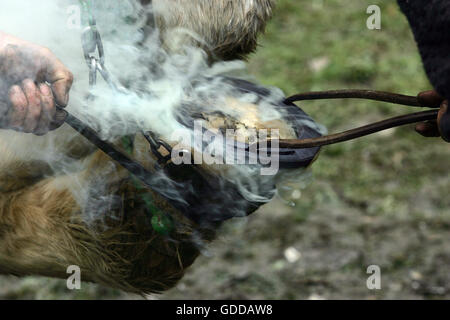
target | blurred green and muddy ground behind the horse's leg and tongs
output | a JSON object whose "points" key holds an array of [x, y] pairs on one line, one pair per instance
{"points": [[381, 200]]}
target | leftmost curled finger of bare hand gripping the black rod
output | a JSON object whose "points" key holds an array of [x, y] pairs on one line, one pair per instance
{"points": [[18, 111]]}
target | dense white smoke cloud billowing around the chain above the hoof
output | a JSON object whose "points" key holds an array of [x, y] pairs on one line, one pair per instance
{"points": [[154, 92]]}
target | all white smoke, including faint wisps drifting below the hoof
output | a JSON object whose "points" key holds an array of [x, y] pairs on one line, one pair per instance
{"points": [[158, 88]]}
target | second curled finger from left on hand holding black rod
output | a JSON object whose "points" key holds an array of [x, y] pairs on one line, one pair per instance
{"points": [[34, 108]]}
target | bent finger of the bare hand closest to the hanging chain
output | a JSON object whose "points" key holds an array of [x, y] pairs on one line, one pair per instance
{"points": [[60, 78]]}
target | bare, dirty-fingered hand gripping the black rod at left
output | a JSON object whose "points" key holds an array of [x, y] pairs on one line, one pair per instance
{"points": [[32, 82]]}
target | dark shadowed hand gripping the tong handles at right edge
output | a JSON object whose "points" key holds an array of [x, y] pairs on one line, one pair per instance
{"points": [[440, 127]]}
